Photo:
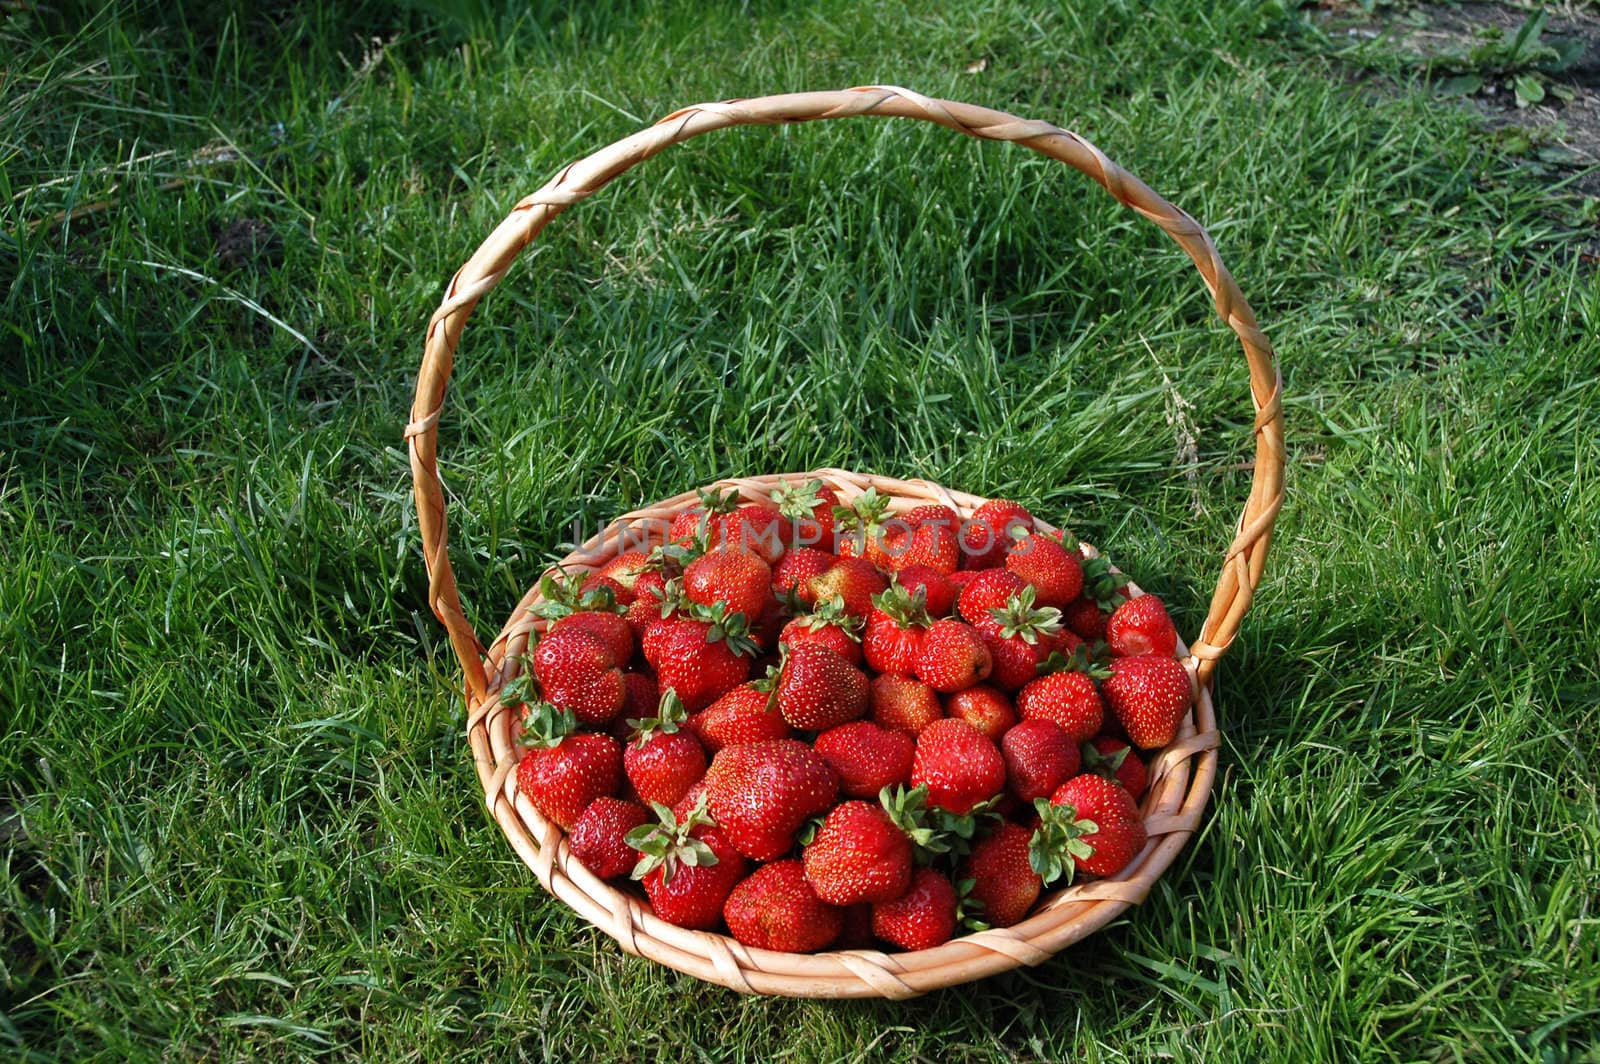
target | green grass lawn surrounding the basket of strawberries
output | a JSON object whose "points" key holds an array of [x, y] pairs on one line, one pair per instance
{"points": [[238, 815]]}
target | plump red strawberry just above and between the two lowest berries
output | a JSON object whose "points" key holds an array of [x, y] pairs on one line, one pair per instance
{"points": [[858, 855]]}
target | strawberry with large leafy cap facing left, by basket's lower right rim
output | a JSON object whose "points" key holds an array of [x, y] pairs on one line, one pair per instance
{"points": [[1092, 820]]}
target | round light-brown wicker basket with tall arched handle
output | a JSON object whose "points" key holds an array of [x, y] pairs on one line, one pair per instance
{"points": [[1182, 775]]}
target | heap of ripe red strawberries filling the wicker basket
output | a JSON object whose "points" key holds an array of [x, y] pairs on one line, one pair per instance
{"points": [[831, 726]]}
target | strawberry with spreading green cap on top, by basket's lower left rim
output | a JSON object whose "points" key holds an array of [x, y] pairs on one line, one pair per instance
{"points": [[689, 868]]}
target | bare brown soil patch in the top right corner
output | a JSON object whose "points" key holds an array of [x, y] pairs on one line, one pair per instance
{"points": [[1444, 30]]}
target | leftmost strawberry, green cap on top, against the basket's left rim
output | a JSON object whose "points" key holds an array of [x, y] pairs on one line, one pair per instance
{"points": [[564, 770]]}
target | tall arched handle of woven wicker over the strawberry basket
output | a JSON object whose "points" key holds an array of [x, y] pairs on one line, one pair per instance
{"points": [[1246, 556]]}
